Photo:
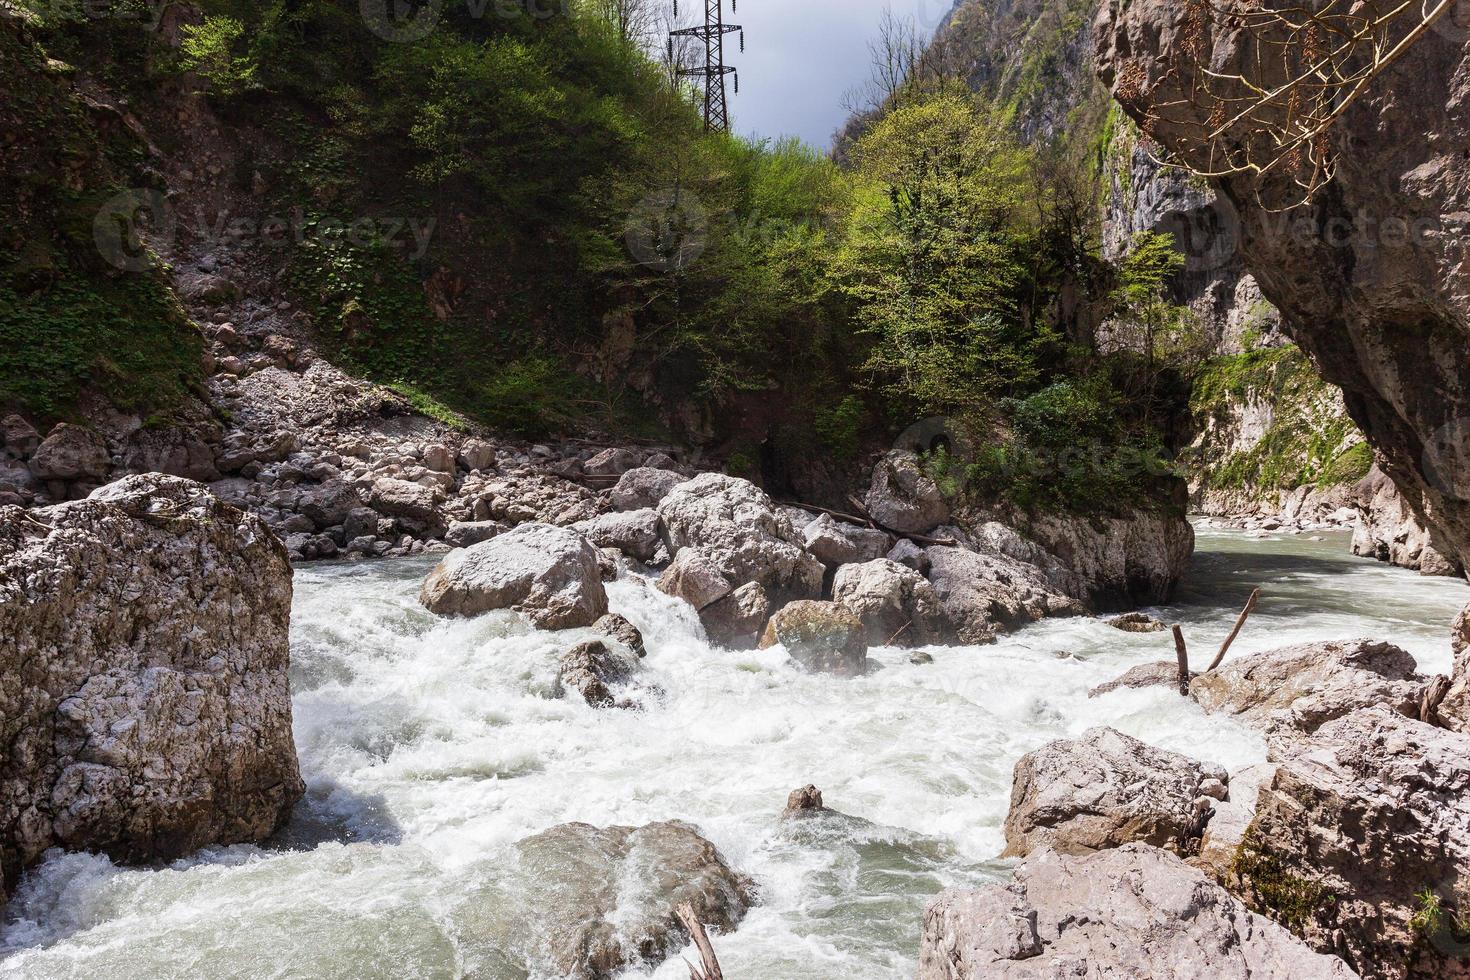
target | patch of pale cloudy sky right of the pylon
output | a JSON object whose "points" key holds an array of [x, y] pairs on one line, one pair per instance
{"points": [[803, 58]]}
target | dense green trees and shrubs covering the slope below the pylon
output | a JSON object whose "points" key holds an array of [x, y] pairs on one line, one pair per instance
{"points": [[518, 220]]}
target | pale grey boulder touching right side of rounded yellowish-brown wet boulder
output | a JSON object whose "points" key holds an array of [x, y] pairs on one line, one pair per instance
{"points": [[896, 605]]}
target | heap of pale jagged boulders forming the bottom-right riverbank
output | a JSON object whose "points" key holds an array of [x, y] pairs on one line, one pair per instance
{"points": [[1346, 856]]}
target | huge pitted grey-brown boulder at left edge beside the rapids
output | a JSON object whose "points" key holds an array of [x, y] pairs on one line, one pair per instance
{"points": [[145, 707]]}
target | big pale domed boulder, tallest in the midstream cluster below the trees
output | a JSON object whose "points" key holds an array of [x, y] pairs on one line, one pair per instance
{"points": [[734, 525]]}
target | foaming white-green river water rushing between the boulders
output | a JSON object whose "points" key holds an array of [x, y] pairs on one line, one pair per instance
{"points": [[431, 747]]}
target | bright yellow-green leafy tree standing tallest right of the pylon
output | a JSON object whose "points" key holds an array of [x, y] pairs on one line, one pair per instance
{"points": [[934, 258]]}
